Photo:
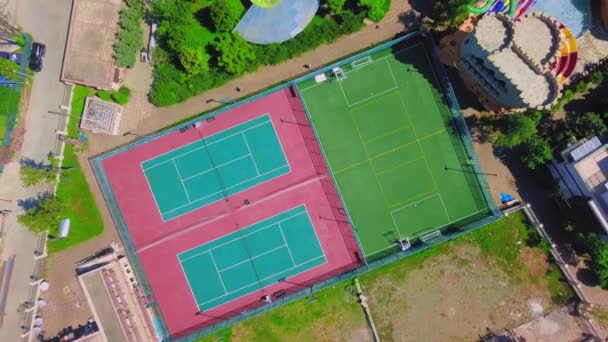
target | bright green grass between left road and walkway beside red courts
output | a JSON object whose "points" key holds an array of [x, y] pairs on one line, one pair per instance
{"points": [[73, 189]]}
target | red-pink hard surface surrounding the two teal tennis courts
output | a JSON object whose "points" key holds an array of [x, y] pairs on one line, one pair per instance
{"points": [[158, 242]]}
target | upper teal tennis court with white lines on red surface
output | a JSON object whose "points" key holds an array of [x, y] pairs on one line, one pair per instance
{"points": [[215, 167]]}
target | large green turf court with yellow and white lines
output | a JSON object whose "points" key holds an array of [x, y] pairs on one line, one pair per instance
{"points": [[388, 135]]}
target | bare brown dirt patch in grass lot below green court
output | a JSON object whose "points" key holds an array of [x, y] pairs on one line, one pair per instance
{"points": [[454, 296]]}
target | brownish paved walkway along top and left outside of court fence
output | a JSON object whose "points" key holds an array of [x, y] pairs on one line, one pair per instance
{"points": [[68, 306]]}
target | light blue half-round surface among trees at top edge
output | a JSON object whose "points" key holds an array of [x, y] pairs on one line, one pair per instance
{"points": [[276, 24]]}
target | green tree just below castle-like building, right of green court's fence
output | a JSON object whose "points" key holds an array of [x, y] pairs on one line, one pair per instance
{"points": [[515, 129]]}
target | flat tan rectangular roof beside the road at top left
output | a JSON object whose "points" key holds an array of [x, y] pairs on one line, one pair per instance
{"points": [[88, 58]]}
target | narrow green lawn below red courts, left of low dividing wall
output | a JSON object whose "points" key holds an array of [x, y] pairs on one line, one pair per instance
{"points": [[332, 317]]}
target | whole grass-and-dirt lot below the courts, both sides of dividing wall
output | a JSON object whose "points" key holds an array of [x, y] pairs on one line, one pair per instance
{"points": [[497, 277]]}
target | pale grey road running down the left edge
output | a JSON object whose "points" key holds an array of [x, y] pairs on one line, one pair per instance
{"points": [[47, 21]]}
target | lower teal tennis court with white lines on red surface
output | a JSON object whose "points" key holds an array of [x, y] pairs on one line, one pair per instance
{"points": [[252, 258]]}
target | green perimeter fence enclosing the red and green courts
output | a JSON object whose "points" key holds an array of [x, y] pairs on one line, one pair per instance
{"points": [[298, 291]]}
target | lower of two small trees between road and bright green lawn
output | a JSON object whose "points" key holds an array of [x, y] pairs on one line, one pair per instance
{"points": [[45, 216]]}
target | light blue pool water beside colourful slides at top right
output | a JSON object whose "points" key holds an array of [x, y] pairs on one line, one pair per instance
{"points": [[575, 14]]}
